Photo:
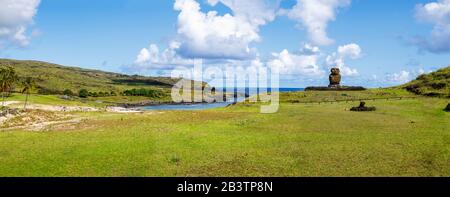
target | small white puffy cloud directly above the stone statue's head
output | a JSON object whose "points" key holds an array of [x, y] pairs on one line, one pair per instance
{"points": [[337, 59]]}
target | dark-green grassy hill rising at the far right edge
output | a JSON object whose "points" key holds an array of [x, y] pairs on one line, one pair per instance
{"points": [[434, 84]]}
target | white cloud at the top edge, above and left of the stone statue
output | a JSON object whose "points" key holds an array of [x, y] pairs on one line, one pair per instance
{"points": [[315, 16]]}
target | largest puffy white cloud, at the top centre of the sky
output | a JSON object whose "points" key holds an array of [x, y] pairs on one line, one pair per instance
{"points": [[212, 36]]}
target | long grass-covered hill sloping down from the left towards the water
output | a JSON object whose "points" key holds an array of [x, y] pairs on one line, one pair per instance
{"points": [[54, 79]]}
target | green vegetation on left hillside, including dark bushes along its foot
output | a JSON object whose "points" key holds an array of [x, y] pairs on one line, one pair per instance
{"points": [[52, 79]]}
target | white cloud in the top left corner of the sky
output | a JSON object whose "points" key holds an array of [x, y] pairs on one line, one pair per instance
{"points": [[15, 17]]}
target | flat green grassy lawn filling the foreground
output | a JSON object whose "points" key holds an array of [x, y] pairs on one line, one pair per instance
{"points": [[402, 138]]}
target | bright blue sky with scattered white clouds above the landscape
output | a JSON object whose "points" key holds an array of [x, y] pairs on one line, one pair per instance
{"points": [[110, 34]]}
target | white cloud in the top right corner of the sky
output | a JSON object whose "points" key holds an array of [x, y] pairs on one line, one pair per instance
{"points": [[437, 14]]}
